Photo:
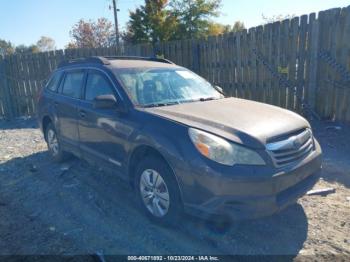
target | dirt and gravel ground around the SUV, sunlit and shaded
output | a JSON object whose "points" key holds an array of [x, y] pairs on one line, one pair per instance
{"points": [[73, 208]]}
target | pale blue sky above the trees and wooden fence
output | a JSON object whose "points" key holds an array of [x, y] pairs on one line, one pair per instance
{"points": [[24, 21]]}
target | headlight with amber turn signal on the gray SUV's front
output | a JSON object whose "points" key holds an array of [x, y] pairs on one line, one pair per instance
{"points": [[222, 151]]}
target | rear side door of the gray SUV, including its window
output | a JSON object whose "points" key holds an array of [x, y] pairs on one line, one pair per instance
{"points": [[67, 102]]}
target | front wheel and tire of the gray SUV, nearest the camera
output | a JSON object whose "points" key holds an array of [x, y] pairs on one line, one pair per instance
{"points": [[157, 170]]}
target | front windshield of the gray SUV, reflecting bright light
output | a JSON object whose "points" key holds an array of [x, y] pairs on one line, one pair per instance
{"points": [[159, 87]]}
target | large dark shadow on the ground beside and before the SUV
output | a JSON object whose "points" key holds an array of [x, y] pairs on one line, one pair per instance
{"points": [[74, 208]]}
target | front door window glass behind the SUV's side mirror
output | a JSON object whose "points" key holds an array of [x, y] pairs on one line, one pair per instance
{"points": [[97, 85]]}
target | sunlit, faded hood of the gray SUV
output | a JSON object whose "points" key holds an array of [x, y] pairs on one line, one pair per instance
{"points": [[242, 121]]}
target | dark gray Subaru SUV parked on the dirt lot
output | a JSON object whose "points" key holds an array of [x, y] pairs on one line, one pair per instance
{"points": [[176, 139]]}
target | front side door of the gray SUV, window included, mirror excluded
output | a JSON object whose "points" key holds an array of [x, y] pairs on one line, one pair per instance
{"points": [[103, 132]]}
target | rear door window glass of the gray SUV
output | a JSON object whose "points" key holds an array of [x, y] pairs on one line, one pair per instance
{"points": [[72, 84]]}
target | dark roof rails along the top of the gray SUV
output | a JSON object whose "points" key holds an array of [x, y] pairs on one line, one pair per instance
{"points": [[104, 60]]}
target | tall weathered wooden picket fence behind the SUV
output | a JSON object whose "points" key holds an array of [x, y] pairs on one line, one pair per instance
{"points": [[302, 62]]}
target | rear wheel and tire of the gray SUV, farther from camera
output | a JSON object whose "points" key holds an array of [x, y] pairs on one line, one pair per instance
{"points": [[53, 144]]}
